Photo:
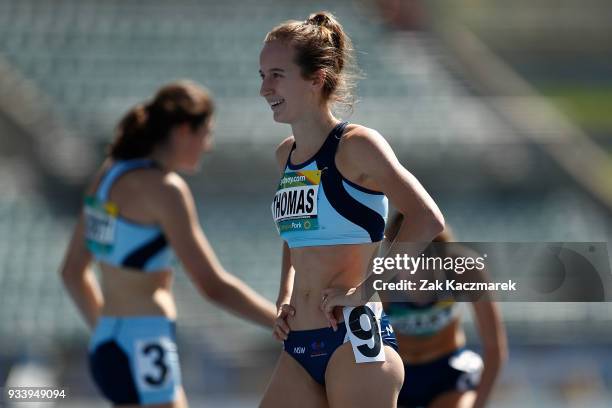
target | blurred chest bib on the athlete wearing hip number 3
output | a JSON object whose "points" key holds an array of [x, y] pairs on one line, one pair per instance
{"points": [[100, 222]]}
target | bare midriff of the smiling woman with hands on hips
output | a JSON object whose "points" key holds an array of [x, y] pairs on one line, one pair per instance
{"points": [[318, 268]]}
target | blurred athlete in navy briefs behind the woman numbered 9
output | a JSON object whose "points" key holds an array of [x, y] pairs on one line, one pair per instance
{"points": [[439, 372]]}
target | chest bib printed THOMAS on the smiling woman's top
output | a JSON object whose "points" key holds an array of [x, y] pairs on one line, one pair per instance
{"points": [[294, 207]]}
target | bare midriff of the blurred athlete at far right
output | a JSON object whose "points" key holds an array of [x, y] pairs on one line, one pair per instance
{"points": [[421, 349]]}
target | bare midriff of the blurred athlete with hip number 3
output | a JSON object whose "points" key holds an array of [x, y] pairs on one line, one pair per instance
{"points": [[136, 293]]}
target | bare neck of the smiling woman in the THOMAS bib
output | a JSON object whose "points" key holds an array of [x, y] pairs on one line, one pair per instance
{"points": [[311, 130]]}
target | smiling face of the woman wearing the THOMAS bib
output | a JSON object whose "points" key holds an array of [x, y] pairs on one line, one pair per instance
{"points": [[286, 91]]}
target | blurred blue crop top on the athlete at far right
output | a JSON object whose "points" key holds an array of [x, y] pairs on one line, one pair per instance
{"points": [[427, 319]]}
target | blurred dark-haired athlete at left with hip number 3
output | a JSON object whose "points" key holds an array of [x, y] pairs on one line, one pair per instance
{"points": [[138, 214]]}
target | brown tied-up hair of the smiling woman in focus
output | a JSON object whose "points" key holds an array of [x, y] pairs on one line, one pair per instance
{"points": [[321, 44]]}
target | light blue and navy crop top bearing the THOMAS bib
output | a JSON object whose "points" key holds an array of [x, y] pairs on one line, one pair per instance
{"points": [[315, 205]]}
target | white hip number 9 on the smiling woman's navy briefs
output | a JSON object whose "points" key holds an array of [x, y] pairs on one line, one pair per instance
{"points": [[363, 328]]}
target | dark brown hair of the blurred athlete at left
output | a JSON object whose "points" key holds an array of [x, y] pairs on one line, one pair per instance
{"points": [[148, 125]]}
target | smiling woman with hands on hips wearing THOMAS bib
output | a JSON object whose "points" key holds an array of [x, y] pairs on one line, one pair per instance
{"points": [[330, 208]]}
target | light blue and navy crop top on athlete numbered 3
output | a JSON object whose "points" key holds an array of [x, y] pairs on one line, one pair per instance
{"points": [[120, 242]]}
